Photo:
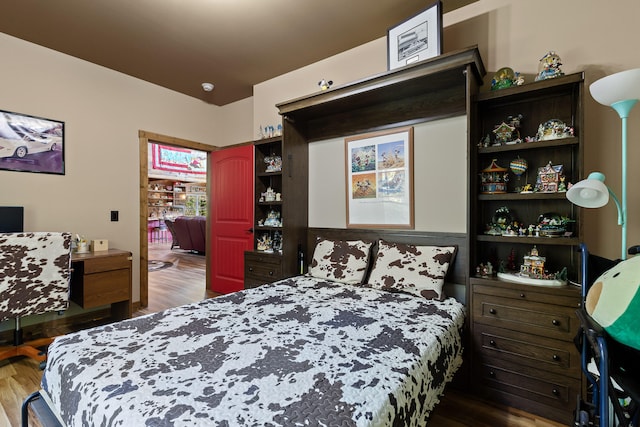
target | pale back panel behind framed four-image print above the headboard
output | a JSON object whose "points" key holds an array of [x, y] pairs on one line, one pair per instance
{"points": [[439, 179]]}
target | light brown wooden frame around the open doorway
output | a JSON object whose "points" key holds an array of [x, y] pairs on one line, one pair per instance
{"points": [[145, 138]]}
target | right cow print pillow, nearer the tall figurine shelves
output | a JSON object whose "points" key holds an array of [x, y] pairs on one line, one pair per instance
{"points": [[417, 270]]}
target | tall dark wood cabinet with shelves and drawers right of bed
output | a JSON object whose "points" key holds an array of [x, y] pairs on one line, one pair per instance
{"points": [[522, 334]]}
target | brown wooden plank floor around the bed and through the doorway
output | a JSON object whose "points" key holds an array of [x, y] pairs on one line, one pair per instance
{"points": [[184, 282]]}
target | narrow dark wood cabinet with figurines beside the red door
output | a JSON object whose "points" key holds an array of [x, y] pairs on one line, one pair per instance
{"points": [[280, 211]]}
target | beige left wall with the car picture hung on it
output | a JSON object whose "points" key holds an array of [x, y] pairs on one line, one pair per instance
{"points": [[103, 111]]}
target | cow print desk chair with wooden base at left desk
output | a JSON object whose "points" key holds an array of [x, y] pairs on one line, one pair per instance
{"points": [[35, 272]]}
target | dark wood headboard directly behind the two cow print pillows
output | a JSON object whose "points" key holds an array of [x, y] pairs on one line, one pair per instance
{"points": [[459, 272]]}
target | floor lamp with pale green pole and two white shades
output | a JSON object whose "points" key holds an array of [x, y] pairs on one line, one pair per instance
{"points": [[620, 91]]}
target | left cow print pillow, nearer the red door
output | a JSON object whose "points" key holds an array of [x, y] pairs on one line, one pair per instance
{"points": [[340, 260]]}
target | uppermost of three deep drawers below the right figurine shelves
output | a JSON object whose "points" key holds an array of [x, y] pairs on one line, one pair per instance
{"points": [[553, 321]]}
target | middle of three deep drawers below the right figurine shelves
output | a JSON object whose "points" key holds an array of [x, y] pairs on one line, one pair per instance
{"points": [[538, 352]]}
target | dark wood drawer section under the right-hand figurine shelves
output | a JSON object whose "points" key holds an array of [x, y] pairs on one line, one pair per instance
{"points": [[524, 355]]}
